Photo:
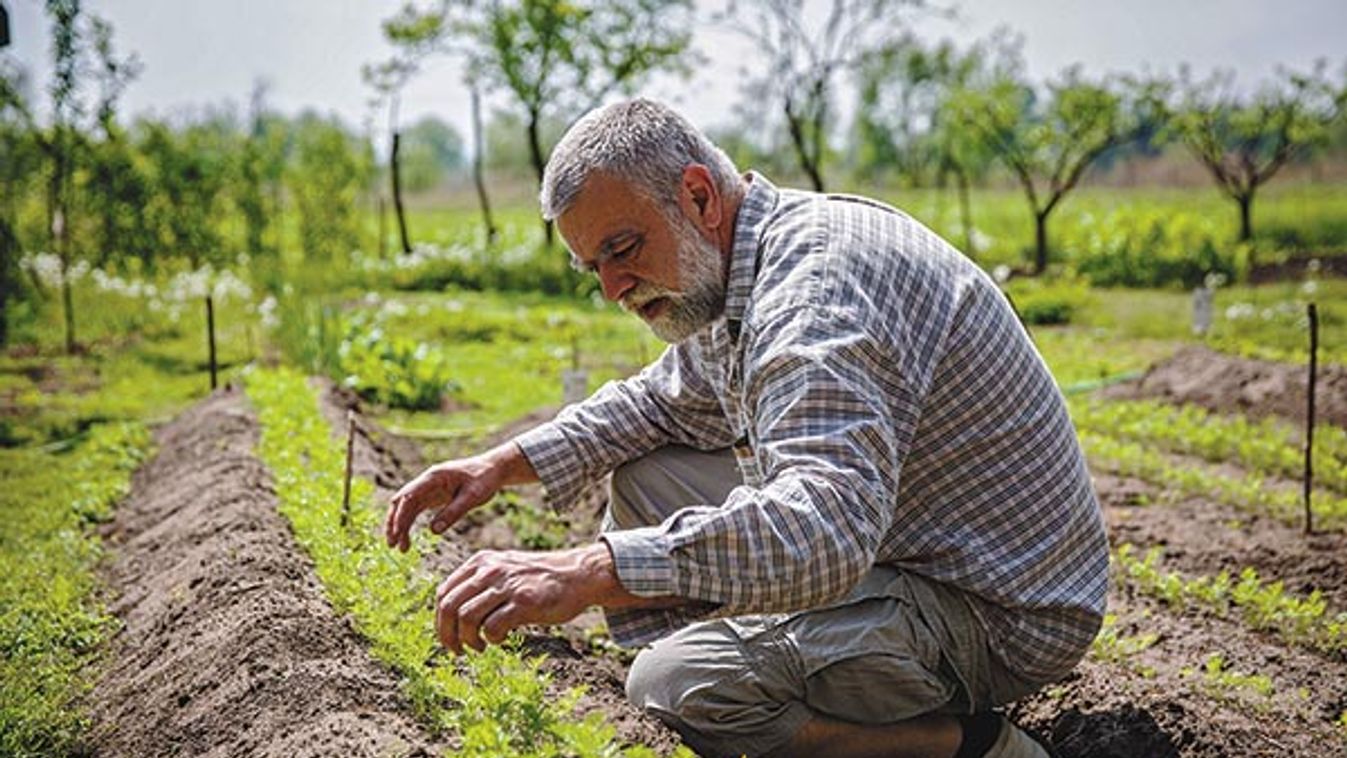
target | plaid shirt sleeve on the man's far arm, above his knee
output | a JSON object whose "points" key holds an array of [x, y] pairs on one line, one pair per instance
{"points": [[666, 403]]}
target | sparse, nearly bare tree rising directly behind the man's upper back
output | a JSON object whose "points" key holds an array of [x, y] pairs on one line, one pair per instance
{"points": [[805, 60]]}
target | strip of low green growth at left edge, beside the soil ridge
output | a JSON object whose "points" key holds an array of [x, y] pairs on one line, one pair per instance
{"points": [[51, 620]]}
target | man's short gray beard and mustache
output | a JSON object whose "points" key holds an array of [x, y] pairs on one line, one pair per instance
{"points": [[702, 297]]}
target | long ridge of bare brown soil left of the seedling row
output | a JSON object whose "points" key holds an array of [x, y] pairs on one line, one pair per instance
{"points": [[228, 647]]}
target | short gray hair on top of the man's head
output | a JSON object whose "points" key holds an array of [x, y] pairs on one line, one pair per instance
{"points": [[643, 142]]}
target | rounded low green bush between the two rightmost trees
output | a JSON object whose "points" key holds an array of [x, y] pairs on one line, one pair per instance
{"points": [[1148, 248]]}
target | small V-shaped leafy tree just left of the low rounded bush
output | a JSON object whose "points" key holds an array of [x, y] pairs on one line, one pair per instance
{"points": [[1047, 143]]}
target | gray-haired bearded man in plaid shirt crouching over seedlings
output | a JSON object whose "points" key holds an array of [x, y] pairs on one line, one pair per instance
{"points": [[848, 506]]}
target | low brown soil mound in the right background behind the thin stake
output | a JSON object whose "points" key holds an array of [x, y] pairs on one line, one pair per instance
{"points": [[1229, 384]]}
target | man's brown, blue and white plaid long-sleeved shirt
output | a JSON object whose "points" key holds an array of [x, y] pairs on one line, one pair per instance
{"points": [[898, 414]]}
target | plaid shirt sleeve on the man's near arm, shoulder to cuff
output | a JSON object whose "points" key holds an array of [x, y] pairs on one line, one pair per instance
{"points": [[830, 449]]}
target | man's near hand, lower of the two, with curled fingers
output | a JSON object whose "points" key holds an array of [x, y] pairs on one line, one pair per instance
{"points": [[498, 592]]}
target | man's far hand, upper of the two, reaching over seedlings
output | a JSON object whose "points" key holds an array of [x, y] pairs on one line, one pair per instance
{"points": [[455, 488]]}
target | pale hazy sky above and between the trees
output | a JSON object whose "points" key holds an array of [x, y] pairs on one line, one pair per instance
{"points": [[197, 55]]}
